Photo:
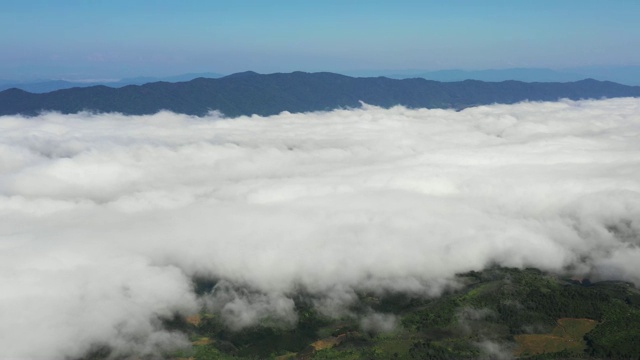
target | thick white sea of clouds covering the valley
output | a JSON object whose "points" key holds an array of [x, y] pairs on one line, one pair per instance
{"points": [[105, 219]]}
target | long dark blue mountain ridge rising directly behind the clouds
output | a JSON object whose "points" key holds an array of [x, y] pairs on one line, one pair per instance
{"points": [[251, 93]]}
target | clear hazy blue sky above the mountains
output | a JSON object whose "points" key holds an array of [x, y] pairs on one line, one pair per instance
{"points": [[115, 38]]}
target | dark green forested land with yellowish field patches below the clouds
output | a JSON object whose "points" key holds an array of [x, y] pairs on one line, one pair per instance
{"points": [[521, 313]]}
